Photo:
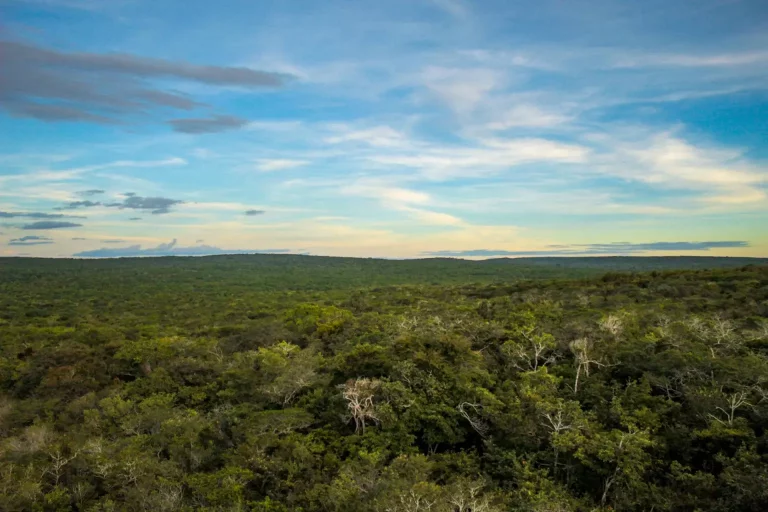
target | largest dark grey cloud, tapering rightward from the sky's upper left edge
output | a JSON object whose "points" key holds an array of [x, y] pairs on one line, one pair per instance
{"points": [[54, 86]]}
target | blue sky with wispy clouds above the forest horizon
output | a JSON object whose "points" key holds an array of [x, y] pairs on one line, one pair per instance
{"points": [[396, 129]]}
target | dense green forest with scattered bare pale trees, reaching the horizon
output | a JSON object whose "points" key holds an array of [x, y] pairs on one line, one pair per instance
{"points": [[289, 383]]}
